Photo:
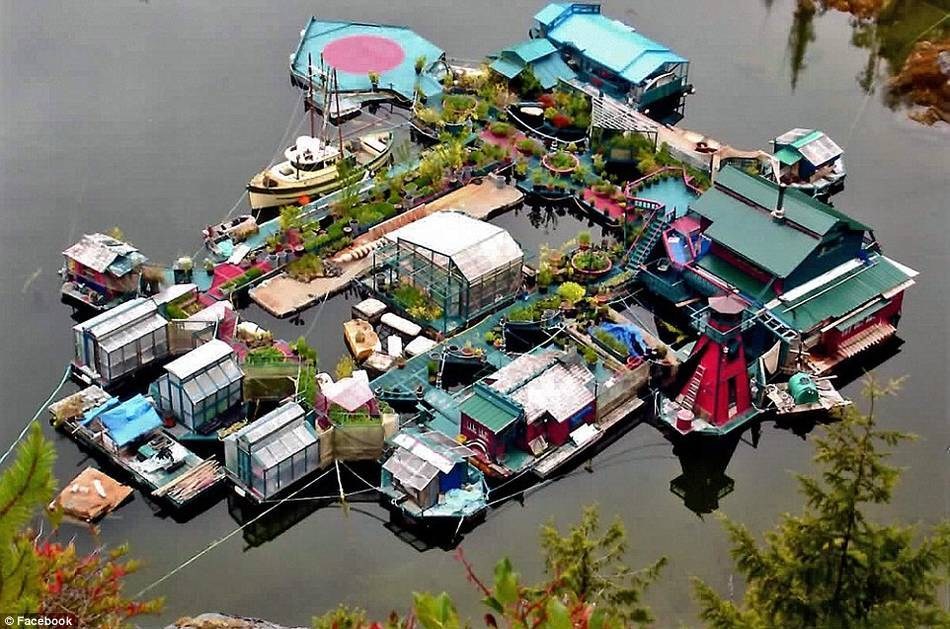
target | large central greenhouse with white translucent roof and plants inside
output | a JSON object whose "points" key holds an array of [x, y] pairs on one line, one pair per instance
{"points": [[465, 266]]}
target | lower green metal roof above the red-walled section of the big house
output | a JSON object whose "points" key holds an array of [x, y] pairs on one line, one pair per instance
{"points": [[842, 294]]}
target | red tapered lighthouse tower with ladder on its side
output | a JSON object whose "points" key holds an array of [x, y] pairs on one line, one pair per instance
{"points": [[718, 391]]}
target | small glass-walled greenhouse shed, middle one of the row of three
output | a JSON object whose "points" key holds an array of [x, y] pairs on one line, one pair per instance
{"points": [[201, 385]]}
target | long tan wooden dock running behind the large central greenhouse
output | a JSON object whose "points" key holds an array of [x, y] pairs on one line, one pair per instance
{"points": [[283, 296]]}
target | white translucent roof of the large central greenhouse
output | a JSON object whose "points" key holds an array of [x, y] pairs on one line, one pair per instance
{"points": [[475, 247]]}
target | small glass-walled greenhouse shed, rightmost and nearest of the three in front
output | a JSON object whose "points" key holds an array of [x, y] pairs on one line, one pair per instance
{"points": [[274, 452]]}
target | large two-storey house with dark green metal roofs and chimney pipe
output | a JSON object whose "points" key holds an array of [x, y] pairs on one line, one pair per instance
{"points": [[812, 275]]}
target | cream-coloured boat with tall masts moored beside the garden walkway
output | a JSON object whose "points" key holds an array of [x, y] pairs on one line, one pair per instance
{"points": [[312, 164]]}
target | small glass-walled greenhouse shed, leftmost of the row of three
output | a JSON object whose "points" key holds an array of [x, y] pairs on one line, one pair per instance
{"points": [[120, 341]]}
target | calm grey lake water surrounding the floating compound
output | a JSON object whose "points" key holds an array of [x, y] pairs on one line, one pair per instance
{"points": [[153, 115]]}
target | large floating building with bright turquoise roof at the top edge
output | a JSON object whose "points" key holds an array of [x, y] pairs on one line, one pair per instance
{"points": [[616, 58]]}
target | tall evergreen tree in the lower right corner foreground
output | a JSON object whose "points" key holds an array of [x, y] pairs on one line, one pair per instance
{"points": [[832, 566]]}
